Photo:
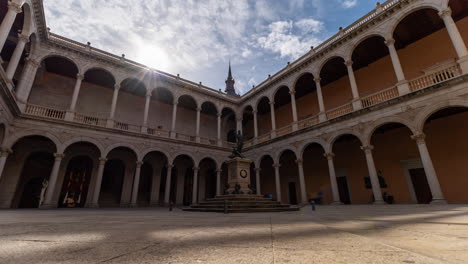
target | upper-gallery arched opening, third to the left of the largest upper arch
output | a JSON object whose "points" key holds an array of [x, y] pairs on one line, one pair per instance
{"points": [[306, 97]]}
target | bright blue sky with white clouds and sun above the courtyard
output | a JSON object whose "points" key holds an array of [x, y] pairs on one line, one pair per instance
{"points": [[198, 38]]}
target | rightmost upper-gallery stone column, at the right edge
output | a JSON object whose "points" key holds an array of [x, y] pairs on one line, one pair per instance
{"points": [[456, 38]]}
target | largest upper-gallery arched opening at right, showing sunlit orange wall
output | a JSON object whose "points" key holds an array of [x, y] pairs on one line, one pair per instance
{"points": [[415, 38]]}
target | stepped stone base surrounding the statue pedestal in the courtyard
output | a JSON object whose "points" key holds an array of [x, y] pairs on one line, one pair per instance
{"points": [[241, 203]]}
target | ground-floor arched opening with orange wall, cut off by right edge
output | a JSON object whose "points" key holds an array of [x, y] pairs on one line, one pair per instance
{"points": [[445, 138]]}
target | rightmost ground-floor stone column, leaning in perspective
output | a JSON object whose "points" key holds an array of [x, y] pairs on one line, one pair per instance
{"points": [[437, 195]]}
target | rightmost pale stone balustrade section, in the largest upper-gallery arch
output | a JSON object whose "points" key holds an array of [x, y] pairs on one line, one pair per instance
{"points": [[435, 78]]}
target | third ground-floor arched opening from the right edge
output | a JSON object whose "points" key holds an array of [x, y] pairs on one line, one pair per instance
{"points": [[351, 170]]}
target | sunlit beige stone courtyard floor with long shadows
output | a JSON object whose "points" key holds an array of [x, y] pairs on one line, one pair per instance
{"points": [[332, 234]]}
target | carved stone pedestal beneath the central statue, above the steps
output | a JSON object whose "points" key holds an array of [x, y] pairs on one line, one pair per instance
{"points": [[239, 175]]}
